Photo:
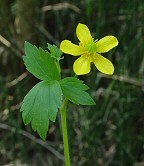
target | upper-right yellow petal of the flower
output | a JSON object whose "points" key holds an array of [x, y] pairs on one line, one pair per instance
{"points": [[106, 43]]}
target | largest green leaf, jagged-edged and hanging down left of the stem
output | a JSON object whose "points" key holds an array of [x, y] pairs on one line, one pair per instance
{"points": [[41, 105]]}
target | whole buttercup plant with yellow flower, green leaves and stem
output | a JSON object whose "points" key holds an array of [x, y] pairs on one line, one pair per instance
{"points": [[43, 101]]}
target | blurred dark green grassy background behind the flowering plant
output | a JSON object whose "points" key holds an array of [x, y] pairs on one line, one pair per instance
{"points": [[108, 134]]}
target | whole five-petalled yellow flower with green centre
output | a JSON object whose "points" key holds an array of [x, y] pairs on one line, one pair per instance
{"points": [[89, 50]]}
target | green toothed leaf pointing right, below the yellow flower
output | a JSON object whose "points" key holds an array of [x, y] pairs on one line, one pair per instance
{"points": [[74, 90]]}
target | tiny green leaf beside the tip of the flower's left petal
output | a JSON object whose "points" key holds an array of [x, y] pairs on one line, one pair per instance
{"points": [[55, 52]]}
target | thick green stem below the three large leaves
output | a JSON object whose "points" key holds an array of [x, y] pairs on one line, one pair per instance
{"points": [[64, 132]]}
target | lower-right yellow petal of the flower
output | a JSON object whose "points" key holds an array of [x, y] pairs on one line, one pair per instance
{"points": [[103, 65]]}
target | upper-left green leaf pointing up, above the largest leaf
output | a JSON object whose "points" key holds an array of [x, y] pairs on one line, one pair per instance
{"points": [[40, 63]]}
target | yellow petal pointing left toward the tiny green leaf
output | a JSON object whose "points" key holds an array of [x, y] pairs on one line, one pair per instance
{"points": [[69, 48]]}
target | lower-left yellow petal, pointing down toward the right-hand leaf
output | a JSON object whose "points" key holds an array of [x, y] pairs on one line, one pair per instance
{"points": [[82, 66]]}
